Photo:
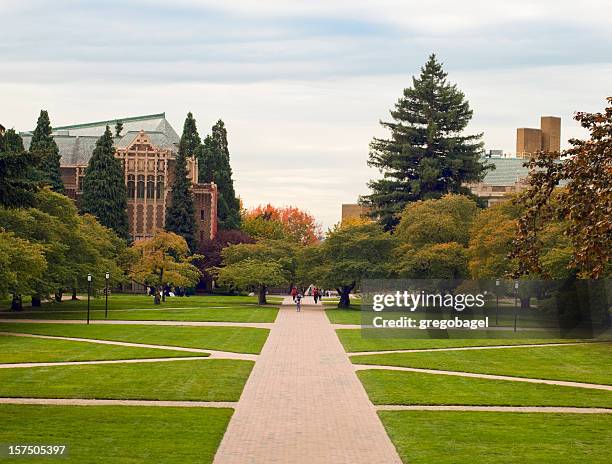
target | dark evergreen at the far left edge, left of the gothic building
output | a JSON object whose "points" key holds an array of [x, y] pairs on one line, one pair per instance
{"points": [[17, 172]]}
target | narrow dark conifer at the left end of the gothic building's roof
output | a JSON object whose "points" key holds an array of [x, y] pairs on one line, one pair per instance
{"points": [[44, 147]]}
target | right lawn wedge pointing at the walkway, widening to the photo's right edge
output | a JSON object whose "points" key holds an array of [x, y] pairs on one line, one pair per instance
{"points": [[581, 363]]}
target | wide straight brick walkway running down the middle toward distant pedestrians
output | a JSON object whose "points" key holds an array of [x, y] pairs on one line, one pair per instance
{"points": [[303, 402]]}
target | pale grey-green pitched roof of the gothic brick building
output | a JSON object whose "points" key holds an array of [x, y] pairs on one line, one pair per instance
{"points": [[76, 142]]}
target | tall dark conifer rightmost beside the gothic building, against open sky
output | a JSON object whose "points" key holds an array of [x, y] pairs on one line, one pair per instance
{"points": [[214, 166]]}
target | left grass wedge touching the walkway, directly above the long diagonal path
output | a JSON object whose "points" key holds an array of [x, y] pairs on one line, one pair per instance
{"points": [[236, 339]]}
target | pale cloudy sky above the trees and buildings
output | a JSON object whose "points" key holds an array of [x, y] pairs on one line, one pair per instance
{"points": [[301, 85]]}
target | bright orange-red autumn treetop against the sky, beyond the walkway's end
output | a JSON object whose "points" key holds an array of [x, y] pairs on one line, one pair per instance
{"points": [[290, 221]]}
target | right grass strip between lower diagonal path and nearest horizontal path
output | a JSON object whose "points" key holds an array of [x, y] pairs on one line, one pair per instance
{"points": [[394, 387]]}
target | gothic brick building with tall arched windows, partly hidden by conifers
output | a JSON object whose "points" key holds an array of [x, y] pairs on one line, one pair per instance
{"points": [[147, 148]]}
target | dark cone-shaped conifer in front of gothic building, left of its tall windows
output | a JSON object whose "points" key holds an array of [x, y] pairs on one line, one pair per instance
{"points": [[104, 193]]}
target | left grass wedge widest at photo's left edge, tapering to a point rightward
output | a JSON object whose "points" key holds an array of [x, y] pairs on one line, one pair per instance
{"points": [[22, 350]]}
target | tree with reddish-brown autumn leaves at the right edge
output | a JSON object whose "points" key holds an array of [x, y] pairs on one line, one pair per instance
{"points": [[584, 202]]}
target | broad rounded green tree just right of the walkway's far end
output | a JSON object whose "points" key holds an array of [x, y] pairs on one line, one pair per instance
{"points": [[349, 254]]}
